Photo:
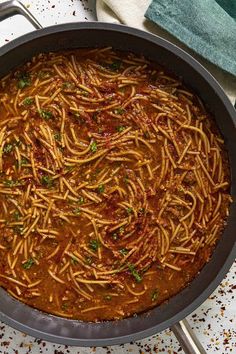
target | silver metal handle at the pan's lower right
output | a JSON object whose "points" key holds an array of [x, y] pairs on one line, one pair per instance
{"points": [[187, 338]]}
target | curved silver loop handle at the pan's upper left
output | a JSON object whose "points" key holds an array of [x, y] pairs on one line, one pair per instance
{"points": [[14, 7]]}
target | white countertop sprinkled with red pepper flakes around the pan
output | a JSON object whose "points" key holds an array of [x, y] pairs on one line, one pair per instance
{"points": [[214, 322]]}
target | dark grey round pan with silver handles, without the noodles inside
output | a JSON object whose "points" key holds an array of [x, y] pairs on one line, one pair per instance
{"points": [[170, 314]]}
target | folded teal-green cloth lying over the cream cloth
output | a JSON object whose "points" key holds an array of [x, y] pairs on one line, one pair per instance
{"points": [[206, 26]]}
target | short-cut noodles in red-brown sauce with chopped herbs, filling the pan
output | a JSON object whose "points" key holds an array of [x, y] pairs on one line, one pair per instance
{"points": [[114, 184]]}
